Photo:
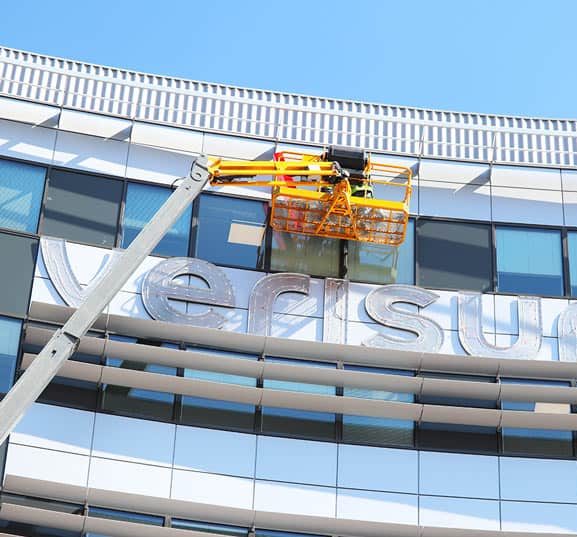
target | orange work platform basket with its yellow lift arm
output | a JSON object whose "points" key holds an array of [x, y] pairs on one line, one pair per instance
{"points": [[312, 196]]}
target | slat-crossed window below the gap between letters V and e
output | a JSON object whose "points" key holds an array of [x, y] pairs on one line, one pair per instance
{"points": [[136, 401]]}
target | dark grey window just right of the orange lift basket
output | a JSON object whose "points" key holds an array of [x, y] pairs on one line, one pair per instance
{"points": [[453, 255]]}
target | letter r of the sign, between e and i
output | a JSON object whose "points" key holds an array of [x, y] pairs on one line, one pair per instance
{"points": [[265, 292]]}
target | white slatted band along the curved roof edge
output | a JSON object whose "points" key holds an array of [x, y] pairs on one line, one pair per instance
{"points": [[287, 117]]}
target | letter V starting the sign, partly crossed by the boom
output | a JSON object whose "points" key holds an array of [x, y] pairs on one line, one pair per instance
{"points": [[60, 272]]}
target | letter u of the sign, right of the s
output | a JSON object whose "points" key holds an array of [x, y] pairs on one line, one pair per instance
{"points": [[471, 328]]}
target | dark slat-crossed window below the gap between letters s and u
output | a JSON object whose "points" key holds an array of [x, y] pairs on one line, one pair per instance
{"points": [[457, 437]]}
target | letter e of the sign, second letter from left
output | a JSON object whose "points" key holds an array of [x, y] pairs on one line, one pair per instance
{"points": [[159, 287]]}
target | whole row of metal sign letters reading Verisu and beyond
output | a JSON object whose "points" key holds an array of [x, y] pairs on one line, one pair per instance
{"points": [[163, 288]]}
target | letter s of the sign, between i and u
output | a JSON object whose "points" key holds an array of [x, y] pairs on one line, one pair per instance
{"points": [[380, 306]]}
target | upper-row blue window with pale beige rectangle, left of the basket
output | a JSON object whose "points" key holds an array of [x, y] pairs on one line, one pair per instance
{"points": [[230, 231]]}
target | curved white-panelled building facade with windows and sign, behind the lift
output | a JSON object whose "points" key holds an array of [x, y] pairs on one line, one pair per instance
{"points": [[246, 381]]}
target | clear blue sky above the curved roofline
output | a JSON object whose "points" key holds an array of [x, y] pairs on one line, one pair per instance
{"points": [[507, 56]]}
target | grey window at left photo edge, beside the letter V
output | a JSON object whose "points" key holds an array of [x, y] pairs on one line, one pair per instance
{"points": [[18, 258]]}
